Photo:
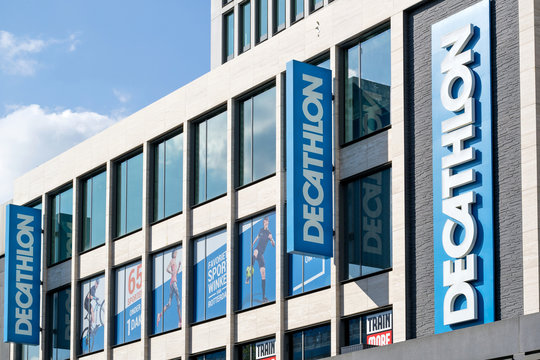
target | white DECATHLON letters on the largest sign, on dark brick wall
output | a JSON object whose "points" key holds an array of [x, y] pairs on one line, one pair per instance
{"points": [[462, 269]]}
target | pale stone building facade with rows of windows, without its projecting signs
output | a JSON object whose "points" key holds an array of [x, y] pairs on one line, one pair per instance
{"points": [[165, 235]]}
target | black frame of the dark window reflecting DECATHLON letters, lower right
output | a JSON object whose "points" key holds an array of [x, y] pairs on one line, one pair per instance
{"points": [[342, 191]]}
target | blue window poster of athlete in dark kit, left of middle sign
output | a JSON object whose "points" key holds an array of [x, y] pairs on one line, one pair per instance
{"points": [[257, 273]]}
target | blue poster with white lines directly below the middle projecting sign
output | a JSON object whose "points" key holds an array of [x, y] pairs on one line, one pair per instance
{"points": [[307, 273]]}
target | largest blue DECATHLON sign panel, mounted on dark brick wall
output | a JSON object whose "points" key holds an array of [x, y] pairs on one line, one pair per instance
{"points": [[462, 170]]}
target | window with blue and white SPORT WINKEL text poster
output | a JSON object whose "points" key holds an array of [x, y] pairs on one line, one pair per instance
{"points": [[210, 276]]}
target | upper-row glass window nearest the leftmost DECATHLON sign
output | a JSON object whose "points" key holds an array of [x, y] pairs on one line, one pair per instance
{"points": [[61, 226]]}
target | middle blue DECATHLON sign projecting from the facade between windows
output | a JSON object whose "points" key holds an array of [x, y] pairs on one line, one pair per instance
{"points": [[309, 160]]}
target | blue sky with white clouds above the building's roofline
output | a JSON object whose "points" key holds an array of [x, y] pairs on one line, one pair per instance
{"points": [[69, 69]]}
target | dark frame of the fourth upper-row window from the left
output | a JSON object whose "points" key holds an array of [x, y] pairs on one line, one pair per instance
{"points": [[152, 179]]}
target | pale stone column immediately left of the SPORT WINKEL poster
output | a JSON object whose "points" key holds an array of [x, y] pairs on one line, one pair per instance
{"points": [[186, 242]]}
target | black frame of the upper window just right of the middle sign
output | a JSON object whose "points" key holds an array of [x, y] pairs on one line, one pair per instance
{"points": [[343, 49]]}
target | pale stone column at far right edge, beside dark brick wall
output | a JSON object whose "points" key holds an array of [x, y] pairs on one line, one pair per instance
{"points": [[529, 48]]}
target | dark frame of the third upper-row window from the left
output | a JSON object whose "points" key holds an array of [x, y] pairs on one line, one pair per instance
{"points": [[115, 192]]}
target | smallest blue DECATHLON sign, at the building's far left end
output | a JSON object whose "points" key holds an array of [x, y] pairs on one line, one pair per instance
{"points": [[22, 275]]}
